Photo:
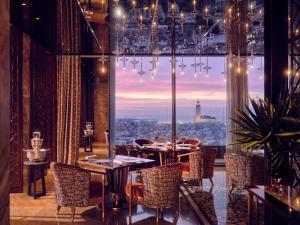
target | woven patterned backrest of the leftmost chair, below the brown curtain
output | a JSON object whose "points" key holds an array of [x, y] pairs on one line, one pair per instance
{"points": [[71, 185]]}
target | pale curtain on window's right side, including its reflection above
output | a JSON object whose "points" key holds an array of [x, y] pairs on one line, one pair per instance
{"points": [[237, 75]]}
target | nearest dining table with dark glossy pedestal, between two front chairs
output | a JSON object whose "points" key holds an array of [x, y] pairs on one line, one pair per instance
{"points": [[116, 169]]}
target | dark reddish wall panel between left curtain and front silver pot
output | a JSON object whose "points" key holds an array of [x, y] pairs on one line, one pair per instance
{"points": [[43, 97]]}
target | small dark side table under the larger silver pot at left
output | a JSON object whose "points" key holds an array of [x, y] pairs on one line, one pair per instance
{"points": [[36, 171]]}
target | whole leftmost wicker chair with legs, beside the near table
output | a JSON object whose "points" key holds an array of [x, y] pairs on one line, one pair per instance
{"points": [[74, 188]]}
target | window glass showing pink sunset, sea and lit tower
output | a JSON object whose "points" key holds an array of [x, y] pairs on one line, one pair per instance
{"points": [[143, 100]]}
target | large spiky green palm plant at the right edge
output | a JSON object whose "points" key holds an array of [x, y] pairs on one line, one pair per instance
{"points": [[274, 127]]}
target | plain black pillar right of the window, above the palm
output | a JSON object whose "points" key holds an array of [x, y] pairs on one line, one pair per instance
{"points": [[276, 47]]}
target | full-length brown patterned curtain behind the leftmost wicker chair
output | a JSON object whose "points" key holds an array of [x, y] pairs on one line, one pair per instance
{"points": [[68, 108]]}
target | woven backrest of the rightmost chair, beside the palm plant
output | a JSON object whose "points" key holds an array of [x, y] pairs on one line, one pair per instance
{"points": [[239, 170]]}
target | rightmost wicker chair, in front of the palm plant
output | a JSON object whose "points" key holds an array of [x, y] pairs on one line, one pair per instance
{"points": [[243, 170]]}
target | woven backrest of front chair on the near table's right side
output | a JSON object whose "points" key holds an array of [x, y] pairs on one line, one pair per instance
{"points": [[161, 185]]}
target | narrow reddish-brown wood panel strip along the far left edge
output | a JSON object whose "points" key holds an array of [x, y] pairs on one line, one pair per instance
{"points": [[4, 112]]}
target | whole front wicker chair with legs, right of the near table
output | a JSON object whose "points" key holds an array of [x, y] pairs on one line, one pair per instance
{"points": [[159, 188]]}
